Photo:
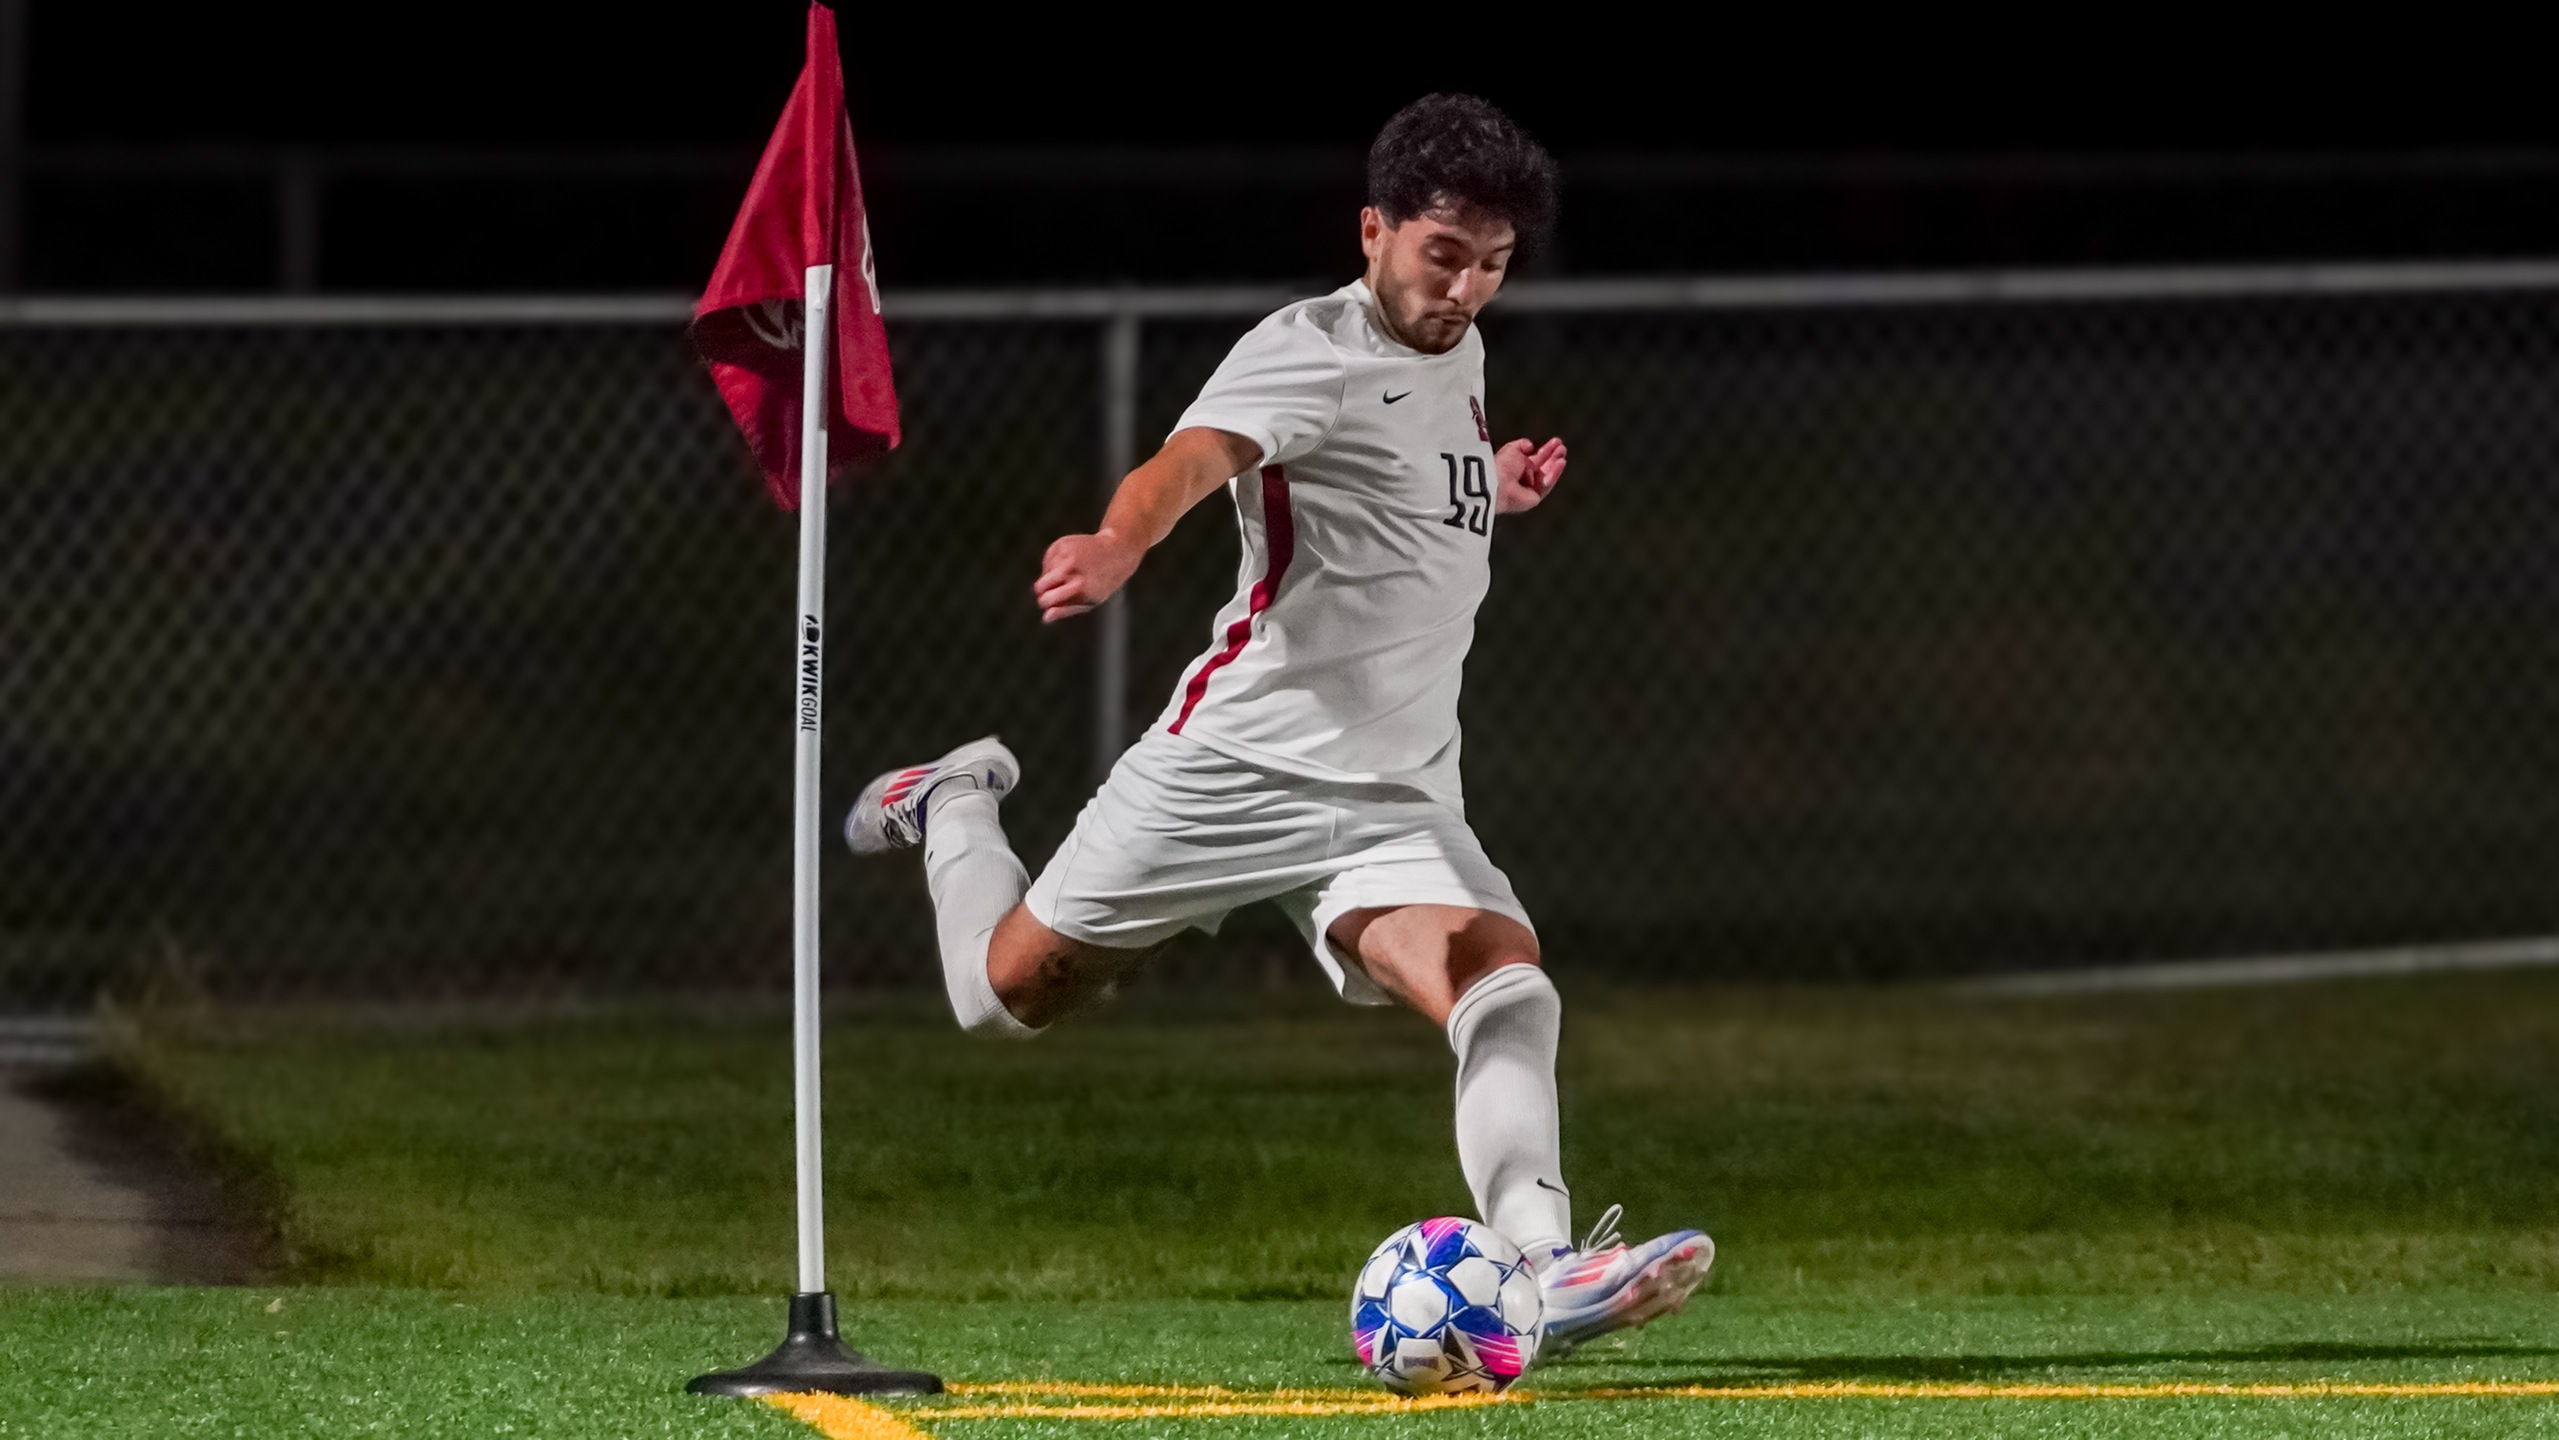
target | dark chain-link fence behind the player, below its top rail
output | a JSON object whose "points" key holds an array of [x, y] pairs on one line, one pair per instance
{"points": [[1872, 633]]}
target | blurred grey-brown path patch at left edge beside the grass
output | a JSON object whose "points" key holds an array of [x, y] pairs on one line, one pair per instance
{"points": [[91, 1193]]}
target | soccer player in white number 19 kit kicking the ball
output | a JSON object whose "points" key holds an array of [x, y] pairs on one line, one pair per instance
{"points": [[1311, 756]]}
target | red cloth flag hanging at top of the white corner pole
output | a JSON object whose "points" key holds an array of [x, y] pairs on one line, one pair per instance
{"points": [[805, 208]]}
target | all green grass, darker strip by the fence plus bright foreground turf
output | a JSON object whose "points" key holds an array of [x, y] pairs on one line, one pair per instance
{"points": [[544, 1229]]}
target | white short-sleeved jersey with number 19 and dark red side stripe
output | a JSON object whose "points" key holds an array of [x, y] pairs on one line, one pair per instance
{"points": [[1368, 549]]}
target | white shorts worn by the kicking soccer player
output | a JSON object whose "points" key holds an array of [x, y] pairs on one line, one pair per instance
{"points": [[1181, 835]]}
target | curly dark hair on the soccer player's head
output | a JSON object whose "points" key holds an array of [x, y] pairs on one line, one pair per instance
{"points": [[1462, 155]]}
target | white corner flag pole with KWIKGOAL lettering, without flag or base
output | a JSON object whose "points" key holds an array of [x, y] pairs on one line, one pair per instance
{"points": [[807, 827]]}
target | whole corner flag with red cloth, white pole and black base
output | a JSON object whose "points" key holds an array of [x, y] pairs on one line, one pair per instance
{"points": [[766, 326]]}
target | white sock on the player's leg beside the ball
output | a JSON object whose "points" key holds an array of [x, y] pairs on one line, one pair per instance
{"points": [[1509, 1137]]}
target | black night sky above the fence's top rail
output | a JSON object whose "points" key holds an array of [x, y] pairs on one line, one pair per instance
{"points": [[546, 147]]}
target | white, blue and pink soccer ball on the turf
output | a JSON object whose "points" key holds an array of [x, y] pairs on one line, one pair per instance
{"points": [[1445, 1308]]}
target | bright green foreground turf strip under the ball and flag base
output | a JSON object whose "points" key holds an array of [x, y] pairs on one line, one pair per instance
{"points": [[416, 1365]]}
